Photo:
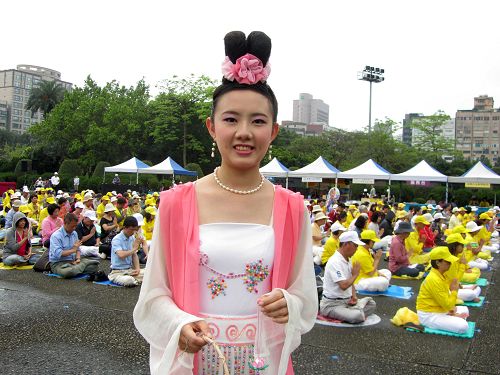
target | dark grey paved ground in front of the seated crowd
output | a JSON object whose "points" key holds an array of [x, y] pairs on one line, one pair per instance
{"points": [[52, 326]]}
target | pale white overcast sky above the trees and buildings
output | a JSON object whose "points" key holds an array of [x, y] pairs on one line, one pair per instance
{"points": [[437, 54]]}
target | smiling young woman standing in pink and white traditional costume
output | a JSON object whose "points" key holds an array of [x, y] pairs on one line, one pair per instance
{"points": [[230, 260]]}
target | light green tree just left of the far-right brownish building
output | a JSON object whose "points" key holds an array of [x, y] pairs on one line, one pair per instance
{"points": [[429, 137]]}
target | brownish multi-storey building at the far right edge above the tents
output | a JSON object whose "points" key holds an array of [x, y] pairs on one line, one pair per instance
{"points": [[478, 130]]}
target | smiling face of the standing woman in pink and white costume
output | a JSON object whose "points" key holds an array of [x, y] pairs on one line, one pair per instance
{"points": [[242, 128]]}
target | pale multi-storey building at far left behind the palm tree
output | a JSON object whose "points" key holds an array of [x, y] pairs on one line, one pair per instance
{"points": [[15, 89]]}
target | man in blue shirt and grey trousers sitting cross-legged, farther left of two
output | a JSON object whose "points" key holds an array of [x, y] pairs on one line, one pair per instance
{"points": [[64, 252]]}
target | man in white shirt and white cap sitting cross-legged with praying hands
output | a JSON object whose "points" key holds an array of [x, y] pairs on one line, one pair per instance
{"points": [[339, 299]]}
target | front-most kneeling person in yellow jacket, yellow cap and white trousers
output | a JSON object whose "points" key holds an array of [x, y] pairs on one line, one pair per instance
{"points": [[436, 300]]}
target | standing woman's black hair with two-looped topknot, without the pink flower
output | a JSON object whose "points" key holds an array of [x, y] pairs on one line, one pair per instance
{"points": [[236, 45]]}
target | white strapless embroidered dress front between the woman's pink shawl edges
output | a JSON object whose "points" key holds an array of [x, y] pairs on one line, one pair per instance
{"points": [[236, 260]]}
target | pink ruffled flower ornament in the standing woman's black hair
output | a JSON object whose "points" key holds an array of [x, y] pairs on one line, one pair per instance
{"points": [[248, 69]]}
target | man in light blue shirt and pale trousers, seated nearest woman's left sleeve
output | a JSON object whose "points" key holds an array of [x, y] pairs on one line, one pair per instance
{"points": [[125, 267]]}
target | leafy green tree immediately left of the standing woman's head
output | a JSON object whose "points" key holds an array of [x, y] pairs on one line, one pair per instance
{"points": [[179, 112]]}
